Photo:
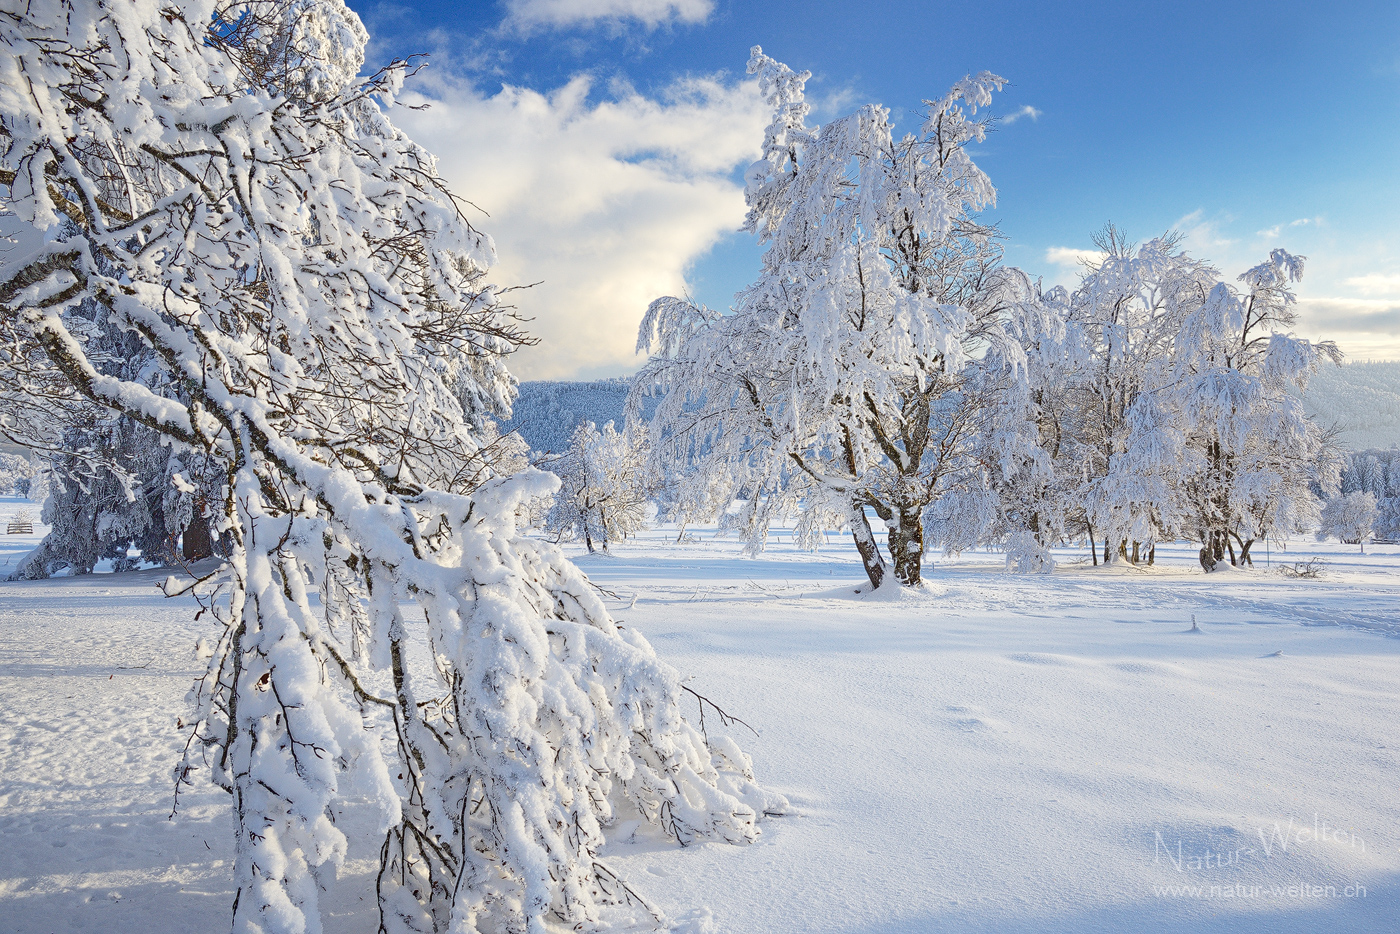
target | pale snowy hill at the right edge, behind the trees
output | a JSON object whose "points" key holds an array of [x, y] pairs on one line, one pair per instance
{"points": [[1361, 400]]}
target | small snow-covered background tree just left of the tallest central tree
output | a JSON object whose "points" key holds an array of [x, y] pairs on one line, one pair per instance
{"points": [[604, 485]]}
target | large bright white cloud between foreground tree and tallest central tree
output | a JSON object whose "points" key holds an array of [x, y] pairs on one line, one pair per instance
{"points": [[604, 204]]}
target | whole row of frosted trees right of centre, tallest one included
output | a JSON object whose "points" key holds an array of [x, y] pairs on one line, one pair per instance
{"points": [[887, 362]]}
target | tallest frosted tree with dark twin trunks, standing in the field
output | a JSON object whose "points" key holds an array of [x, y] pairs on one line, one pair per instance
{"points": [[841, 380]]}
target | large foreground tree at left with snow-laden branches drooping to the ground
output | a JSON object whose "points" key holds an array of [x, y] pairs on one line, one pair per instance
{"points": [[216, 181]]}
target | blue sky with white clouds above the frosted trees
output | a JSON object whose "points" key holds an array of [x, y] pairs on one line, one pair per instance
{"points": [[607, 138]]}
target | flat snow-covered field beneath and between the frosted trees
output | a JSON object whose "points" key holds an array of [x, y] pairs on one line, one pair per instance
{"points": [[993, 754]]}
